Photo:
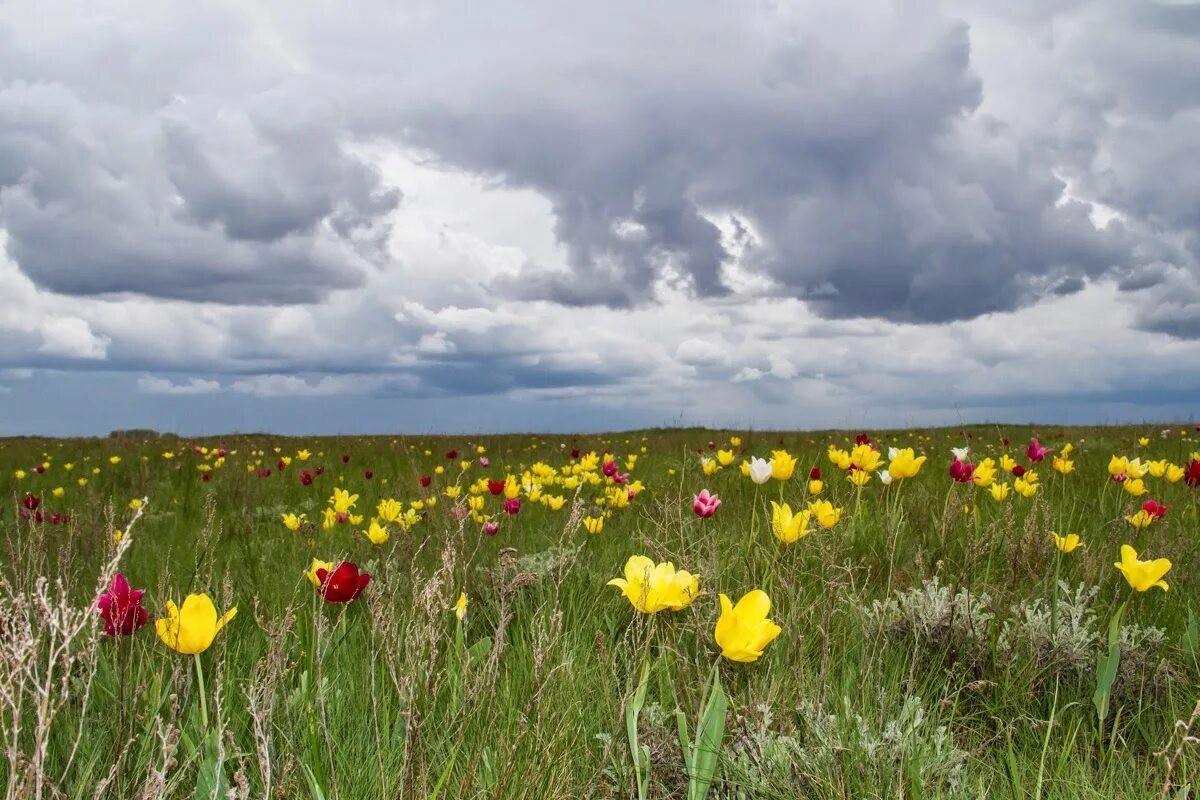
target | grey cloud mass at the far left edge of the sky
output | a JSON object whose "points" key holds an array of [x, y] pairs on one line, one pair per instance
{"points": [[224, 196]]}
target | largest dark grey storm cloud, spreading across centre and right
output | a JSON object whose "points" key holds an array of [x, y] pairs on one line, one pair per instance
{"points": [[859, 154]]}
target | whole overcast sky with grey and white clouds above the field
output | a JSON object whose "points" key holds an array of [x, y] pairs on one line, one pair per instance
{"points": [[416, 218]]}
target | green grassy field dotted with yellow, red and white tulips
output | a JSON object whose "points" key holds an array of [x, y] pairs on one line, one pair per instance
{"points": [[982, 612]]}
